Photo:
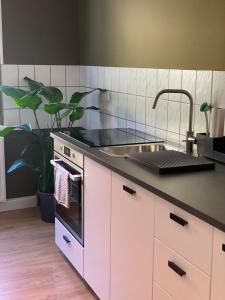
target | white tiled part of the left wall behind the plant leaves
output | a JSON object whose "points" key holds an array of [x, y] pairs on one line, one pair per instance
{"points": [[66, 78]]}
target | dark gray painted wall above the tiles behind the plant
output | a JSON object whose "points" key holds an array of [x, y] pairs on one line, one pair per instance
{"points": [[40, 32]]}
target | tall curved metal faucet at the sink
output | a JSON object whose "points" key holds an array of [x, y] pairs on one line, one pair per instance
{"points": [[190, 139]]}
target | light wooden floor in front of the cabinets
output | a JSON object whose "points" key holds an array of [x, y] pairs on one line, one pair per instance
{"points": [[31, 266]]}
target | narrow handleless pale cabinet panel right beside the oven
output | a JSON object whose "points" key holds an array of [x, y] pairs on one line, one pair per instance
{"points": [[97, 211]]}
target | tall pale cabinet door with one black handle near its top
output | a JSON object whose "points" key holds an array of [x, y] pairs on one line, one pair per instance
{"points": [[131, 241]]}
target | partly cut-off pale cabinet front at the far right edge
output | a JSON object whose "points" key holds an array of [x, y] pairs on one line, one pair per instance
{"points": [[218, 266]]}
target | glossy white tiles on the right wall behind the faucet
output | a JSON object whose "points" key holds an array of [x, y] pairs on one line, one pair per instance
{"points": [[132, 92]]}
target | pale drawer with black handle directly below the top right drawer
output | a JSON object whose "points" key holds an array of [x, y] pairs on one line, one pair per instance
{"points": [[177, 276]]}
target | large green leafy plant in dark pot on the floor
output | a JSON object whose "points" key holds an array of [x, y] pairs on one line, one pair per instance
{"points": [[54, 106]]}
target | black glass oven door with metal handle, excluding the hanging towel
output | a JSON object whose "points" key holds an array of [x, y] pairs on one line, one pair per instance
{"points": [[72, 217]]}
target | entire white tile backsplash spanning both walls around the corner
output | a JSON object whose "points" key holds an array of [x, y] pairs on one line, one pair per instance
{"points": [[126, 104]]}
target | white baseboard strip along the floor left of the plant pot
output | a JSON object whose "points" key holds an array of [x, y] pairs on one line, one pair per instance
{"points": [[18, 203]]}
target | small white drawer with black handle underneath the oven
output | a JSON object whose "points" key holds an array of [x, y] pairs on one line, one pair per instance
{"points": [[69, 246]]}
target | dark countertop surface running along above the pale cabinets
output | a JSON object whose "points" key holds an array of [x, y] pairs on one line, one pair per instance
{"points": [[200, 193]]}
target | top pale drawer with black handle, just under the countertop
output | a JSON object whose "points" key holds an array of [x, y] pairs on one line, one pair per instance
{"points": [[187, 235]]}
